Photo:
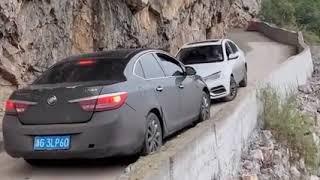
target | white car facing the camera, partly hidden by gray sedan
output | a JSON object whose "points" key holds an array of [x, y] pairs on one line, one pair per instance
{"points": [[221, 63]]}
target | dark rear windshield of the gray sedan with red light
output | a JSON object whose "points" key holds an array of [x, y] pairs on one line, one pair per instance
{"points": [[84, 71]]}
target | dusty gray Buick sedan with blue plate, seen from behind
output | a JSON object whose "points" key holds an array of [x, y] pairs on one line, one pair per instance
{"points": [[119, 102]]}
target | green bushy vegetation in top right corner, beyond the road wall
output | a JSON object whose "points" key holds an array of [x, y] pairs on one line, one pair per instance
{"points": [[294, 14]]}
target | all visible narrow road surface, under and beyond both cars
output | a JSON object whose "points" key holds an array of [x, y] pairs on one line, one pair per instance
{"points": [[263, 55]]}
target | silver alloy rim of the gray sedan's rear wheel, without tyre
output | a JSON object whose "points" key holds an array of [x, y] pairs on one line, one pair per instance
{"points": [[153, 136]]}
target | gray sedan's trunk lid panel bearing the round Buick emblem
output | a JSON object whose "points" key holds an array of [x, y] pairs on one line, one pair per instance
{"points": [[53, 106]]}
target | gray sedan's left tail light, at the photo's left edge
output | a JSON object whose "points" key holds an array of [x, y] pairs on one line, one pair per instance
{"points": [[14, 106]]}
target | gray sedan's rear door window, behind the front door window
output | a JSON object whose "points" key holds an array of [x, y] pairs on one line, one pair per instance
{"points": [[151, 67]]}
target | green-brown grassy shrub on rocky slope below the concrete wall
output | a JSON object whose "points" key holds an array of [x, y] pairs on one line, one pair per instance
{"points": [[289, 125]]}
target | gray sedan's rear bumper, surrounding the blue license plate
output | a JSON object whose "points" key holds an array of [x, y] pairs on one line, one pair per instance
{"points": [[107, 134]]}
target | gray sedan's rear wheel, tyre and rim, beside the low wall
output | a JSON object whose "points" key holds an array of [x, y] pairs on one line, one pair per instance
{"points": [[153, 137]]}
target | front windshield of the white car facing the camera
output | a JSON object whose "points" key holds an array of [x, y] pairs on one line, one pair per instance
{"points": [[202, 54]]}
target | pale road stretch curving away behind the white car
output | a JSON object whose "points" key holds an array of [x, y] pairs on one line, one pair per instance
{"points": [[263, 55]]}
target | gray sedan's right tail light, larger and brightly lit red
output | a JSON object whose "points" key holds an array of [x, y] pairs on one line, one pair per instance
{"points": [[103, 102]]}
